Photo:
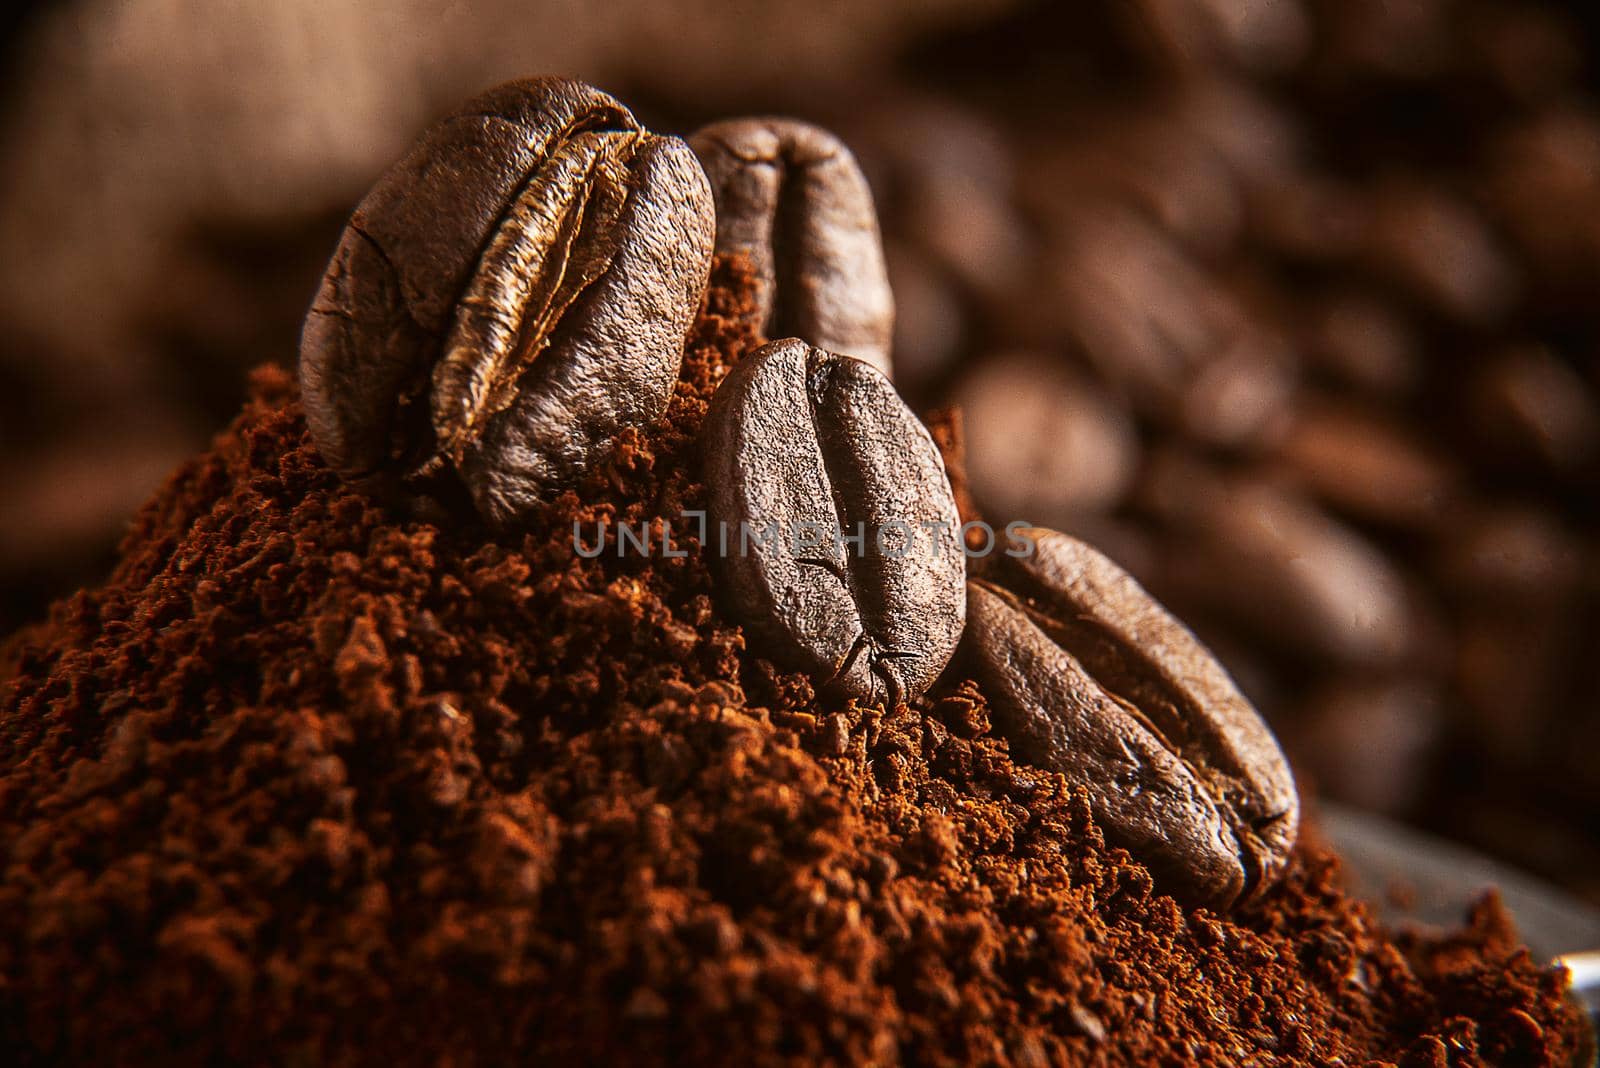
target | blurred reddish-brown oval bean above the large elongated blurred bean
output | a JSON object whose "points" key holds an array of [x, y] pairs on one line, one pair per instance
{"points": [[1366, 464]]}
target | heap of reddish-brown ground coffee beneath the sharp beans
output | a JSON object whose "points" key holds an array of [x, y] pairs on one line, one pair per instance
{"points": [[306, 784]]}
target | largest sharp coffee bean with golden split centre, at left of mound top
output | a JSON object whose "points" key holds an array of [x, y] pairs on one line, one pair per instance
{"points": [[513, 293]]}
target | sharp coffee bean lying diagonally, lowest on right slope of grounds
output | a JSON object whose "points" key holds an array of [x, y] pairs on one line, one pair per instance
{"points": [[1087, 675]]}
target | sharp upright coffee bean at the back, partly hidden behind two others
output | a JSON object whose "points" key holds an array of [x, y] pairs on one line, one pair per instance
{"points": [[791, 199]]}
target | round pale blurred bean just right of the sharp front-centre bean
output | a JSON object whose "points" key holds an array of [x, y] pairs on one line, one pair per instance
{"points": [[1044, 444]]}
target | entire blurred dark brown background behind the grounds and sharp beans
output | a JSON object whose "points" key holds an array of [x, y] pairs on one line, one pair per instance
{"points": [[1289, 305]]}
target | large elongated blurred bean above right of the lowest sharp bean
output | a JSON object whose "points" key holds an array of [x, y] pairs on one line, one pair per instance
{"points": [[1278, 565]]}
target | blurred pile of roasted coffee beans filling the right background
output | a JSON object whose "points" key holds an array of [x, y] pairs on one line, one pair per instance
{"points": [[1294, 309]]}
